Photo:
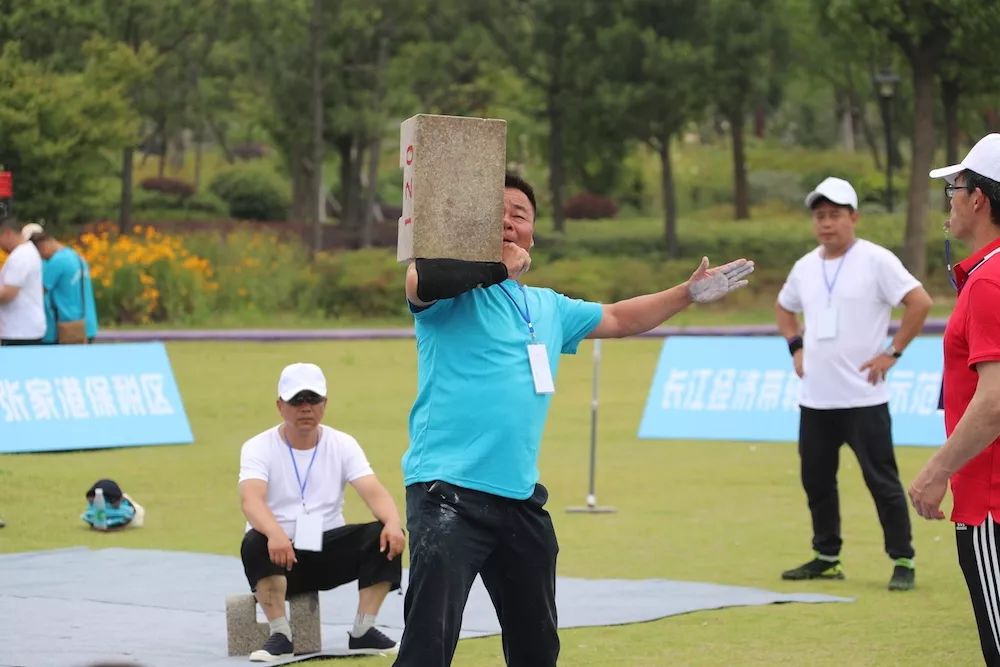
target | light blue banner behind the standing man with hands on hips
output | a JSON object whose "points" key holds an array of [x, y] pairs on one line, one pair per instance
{"points": [[744, 388]]}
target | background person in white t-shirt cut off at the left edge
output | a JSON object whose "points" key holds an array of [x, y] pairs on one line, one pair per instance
{"points": [[22, 305]]}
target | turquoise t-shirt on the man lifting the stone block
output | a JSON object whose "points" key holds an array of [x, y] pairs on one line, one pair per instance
{"points": [[477, 421]]}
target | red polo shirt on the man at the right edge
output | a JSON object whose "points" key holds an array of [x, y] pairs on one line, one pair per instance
{"points": [[973, 336]]}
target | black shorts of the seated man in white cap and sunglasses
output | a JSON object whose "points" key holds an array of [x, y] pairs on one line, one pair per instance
{"points": [[349, 552]]}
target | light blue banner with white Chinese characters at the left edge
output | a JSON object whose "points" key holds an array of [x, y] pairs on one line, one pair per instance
{"points": [[59, 397]]}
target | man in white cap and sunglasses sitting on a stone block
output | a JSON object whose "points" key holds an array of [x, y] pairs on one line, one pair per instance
{"points": [[292, 480]]}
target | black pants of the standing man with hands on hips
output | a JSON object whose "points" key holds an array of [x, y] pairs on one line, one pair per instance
{"points": [[867, 431]]}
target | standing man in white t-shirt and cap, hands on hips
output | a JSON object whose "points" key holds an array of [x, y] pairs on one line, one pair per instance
{"points": [[846, 289]]}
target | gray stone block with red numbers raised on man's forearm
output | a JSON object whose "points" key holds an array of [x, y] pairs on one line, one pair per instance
{"points": [[453, 173]]}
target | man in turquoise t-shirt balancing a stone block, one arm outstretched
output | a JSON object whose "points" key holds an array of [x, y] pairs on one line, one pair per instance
{"points": [[488, 351]]}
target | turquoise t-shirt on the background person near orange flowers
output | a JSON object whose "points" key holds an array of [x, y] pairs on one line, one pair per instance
{"points": [[61, 275]]}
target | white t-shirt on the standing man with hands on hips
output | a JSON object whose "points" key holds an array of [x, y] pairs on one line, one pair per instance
{"points": [[870, 282]]}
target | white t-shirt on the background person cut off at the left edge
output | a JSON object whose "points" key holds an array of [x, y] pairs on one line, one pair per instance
{"points": [[23, 318]]}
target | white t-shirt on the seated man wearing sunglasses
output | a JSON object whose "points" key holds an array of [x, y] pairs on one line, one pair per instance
{"points": [[339, 461]]}
